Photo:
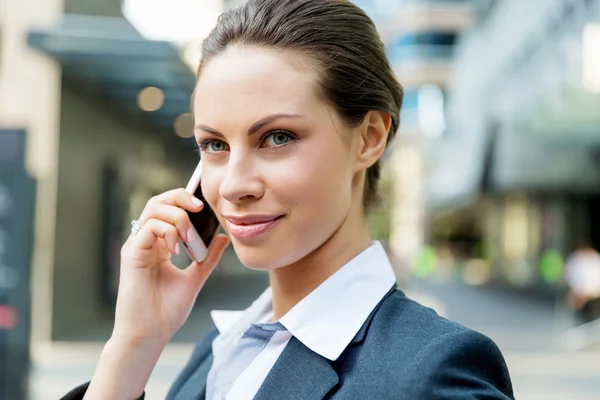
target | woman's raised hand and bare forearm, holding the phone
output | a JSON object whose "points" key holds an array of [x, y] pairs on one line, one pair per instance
{"points": [[155, 297]]}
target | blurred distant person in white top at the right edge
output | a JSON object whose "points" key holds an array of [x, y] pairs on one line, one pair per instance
{"points": [[582, 277]]}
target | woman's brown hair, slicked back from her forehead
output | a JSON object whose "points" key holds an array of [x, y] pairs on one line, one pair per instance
{"points": [[354, 73]]}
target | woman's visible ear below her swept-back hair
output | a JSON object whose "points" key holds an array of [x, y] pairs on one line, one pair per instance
{"points": [[373, 138]]}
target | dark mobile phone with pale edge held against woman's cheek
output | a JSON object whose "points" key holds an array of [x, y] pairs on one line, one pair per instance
{"points": [[204, 223]]}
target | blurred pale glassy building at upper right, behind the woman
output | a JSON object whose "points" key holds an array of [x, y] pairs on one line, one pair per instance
{"points": [[516, 173]]}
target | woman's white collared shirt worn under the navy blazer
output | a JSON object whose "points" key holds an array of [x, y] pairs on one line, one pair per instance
{"points": [[325, 321]]}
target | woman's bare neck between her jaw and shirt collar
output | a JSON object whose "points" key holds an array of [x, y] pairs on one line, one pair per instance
{"points": [[292, 283]]}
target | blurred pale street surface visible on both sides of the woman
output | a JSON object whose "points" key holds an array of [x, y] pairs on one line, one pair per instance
{"points": [[526, 330]]}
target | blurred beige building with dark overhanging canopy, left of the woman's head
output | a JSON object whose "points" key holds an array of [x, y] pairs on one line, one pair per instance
{"points": [[105, 113]]}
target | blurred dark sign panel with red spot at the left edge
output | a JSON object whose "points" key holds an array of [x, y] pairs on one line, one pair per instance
{"points": [[16, 220]]}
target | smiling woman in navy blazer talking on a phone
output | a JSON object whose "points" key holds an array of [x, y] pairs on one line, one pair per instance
{"points": [[295, 103]]}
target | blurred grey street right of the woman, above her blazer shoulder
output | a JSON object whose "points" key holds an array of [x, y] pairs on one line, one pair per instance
{"points": [[528, 331]]}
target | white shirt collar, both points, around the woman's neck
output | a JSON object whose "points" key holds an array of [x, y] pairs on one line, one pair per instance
{"points": [[328, 318]]}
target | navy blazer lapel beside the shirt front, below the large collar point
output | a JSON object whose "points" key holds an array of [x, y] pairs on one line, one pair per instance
{"points": [[298, 374]]}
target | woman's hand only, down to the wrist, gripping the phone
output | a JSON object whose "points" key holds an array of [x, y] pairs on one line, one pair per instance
{"points": [[155, 297]]}
